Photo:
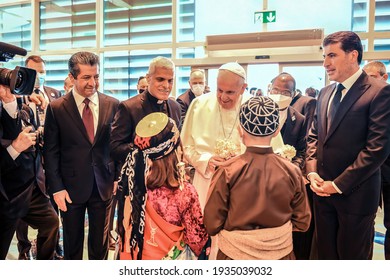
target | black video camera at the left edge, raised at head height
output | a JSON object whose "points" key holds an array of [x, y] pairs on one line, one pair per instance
{"points": [[21, 80]]}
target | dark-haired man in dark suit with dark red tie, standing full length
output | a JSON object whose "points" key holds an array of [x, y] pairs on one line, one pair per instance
{"points": [[79, 170]]}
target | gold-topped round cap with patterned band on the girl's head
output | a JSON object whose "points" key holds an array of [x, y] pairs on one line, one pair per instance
{"points": [[156, 135]]}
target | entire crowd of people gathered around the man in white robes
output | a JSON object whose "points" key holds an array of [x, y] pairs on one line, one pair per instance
{"points": [[275, 175]]}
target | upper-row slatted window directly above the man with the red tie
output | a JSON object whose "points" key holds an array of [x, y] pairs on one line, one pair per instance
{"points": [[67, 24]]}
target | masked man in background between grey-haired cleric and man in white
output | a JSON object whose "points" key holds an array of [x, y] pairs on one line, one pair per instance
{"points": [[197, 87]]}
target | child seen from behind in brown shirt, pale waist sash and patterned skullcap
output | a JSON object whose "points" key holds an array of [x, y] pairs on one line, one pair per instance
{"points": [[258, 199]]}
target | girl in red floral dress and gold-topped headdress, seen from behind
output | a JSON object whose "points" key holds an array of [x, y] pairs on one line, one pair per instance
{"points": [[162, 218]]}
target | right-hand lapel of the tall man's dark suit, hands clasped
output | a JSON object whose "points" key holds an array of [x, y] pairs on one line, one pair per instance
{"points": [[354, 93]]}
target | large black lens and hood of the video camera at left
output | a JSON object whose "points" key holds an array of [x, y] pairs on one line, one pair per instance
{"points": [[21, 80]]}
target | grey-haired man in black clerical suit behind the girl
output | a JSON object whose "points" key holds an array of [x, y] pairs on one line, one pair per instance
{"points": [[155, 99]]}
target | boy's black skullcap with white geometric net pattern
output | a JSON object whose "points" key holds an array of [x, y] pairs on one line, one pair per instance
{"points": [[259, 116]]}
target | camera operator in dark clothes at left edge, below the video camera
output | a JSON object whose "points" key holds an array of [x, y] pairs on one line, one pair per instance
{"points": [[20, 195]]}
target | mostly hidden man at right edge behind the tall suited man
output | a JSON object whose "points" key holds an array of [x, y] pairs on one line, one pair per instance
{"points": [[377, 70]]}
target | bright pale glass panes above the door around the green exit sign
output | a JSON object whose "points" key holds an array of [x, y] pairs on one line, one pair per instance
{"points": [[217, 16]]}
